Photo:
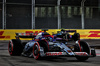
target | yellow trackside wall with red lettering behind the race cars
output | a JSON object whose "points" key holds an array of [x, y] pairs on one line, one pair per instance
{"points": [[84, 33]]}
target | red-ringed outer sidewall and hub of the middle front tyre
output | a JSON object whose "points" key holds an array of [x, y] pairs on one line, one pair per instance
{"points": [[36, 52]]}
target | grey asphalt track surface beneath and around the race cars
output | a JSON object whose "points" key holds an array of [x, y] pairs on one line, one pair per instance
{"points": [[7, 60]]}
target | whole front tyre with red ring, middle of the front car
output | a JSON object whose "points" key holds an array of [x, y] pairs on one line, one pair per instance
{"points": [[36, 48]]}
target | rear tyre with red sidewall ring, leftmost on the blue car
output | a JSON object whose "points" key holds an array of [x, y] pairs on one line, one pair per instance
{"points": [[15, 47]]}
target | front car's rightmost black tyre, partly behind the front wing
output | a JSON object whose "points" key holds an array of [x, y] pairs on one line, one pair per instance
{"points": [[82, 47]]}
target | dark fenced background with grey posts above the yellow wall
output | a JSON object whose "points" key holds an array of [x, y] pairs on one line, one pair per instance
{"points": [[51, 14]]}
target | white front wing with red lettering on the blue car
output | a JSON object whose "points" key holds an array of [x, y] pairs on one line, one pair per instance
{"points": [[69, 53]]}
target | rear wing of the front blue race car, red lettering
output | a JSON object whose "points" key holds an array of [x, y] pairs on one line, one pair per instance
{"points": [[25, 35]]}
